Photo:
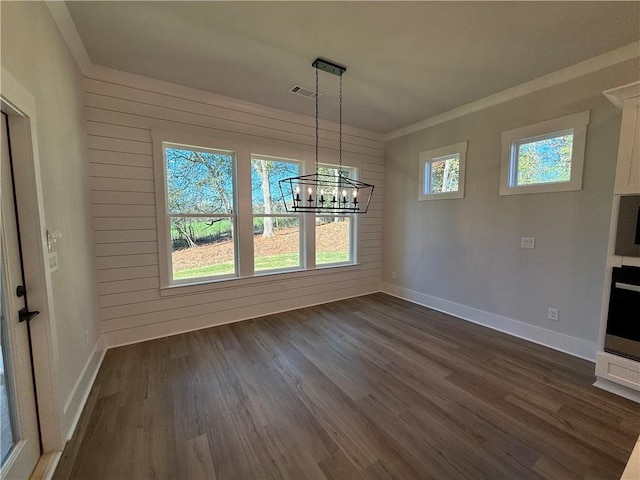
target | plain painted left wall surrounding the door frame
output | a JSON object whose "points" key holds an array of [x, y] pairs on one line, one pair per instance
{"points": [[35, 54]]}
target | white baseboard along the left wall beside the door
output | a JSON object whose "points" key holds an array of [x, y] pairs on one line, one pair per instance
{"points": [[78, 397]]}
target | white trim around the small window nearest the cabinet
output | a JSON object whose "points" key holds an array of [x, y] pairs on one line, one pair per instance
{"points": [[577, 122]]}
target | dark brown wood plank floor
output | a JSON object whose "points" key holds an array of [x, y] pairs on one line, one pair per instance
{"points": [[367, 388]]}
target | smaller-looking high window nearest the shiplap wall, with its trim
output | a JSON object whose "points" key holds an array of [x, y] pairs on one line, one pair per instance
{"points": [[442, 172]]}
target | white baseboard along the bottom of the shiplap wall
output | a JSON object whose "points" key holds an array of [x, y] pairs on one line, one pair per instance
{"points": [[144, 333]]}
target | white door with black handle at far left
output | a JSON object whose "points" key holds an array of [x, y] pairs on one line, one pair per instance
{"points": [[19, 436]]}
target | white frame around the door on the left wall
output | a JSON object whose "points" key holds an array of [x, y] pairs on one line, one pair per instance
{"points": [[20, 106]]}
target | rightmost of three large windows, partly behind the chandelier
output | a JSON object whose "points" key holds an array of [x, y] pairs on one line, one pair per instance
{"points": [[334, 233]]}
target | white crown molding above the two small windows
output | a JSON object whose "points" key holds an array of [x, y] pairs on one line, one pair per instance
{"points": [[614, 57]]}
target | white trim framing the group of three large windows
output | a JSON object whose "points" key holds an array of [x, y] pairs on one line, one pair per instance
{"points": [[244, 151]]}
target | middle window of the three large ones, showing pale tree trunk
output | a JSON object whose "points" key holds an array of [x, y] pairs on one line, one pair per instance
{"points": [[276, 234]]}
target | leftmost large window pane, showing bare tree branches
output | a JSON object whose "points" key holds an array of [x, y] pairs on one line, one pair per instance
{"points": [[200, 210]]}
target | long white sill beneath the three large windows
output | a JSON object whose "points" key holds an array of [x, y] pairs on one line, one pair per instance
{"points": [[257, 279]]}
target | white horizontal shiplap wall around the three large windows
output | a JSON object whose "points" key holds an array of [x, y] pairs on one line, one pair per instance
{"points": [[121, 111]]}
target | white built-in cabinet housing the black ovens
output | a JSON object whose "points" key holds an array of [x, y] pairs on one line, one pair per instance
{"points": [[614, 373]]}
